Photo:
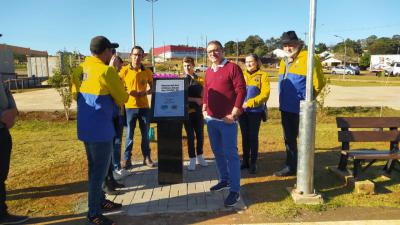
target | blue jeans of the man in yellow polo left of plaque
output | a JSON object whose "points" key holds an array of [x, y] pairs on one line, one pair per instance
{"points": [[131, 116]]}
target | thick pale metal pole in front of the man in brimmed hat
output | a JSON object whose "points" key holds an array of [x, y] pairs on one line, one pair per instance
{"points": [[305, 165]]}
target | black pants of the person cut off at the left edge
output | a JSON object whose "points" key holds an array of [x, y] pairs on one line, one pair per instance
{"points": [[5, 155]]}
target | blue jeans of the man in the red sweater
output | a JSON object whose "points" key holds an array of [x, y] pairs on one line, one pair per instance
{"points": [[223, 140]]}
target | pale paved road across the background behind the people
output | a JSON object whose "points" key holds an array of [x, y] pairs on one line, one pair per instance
{"points": [[49, 100]]}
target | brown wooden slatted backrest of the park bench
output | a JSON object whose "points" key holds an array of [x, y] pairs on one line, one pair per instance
{"points": [[346, 136]]}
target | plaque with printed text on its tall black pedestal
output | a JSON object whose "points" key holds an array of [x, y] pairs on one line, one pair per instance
{"points": [[169, 111]]}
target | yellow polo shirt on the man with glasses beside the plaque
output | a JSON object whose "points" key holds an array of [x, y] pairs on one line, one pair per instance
{"points": [[136, 80]]}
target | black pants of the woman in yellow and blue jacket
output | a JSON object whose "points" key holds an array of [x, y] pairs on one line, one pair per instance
{"points": [[250, 127]]}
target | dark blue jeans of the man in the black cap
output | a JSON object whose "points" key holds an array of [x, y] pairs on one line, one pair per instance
{"points": [[98, 156]]}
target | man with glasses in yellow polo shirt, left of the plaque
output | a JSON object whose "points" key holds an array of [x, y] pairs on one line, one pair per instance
{"points": [[138, 81]]}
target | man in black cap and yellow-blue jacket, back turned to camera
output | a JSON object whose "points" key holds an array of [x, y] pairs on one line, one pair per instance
{"points": [[97, 88]]}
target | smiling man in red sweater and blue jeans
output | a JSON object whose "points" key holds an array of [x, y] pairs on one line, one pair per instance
{"points": [[224, 93]]}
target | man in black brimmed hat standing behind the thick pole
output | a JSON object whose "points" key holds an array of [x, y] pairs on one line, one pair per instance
{"points": [[292, 90]]}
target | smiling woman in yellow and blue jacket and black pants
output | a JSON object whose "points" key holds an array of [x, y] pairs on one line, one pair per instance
{"points": [[257, 94]]}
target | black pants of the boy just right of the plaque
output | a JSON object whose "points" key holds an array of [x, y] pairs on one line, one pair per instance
{"points": [[195, 125]]}
